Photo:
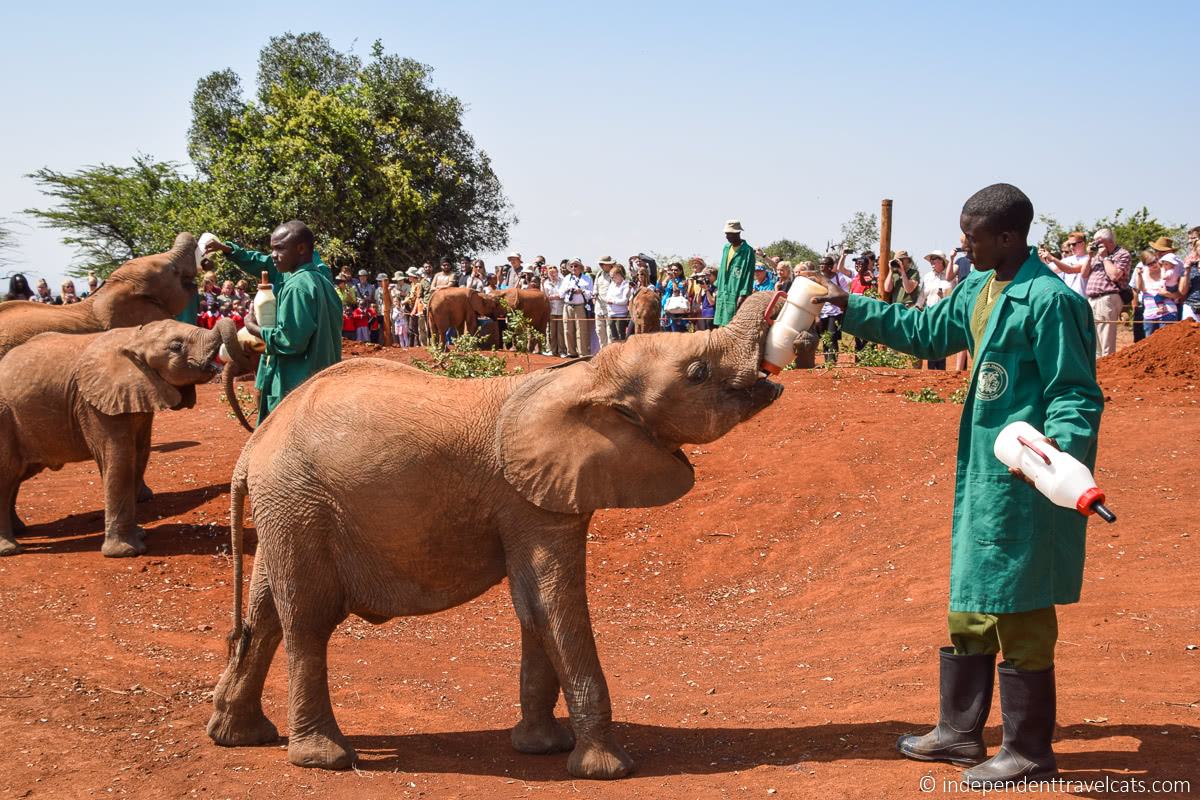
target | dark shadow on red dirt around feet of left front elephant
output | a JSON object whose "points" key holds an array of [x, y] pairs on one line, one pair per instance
{"points": [[86, 531]]}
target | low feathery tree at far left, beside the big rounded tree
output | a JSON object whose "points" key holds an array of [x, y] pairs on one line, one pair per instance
{"points": [[112, 214]]}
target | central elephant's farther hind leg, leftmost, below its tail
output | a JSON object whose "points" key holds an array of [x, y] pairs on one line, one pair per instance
{"points": [[238, 718]]}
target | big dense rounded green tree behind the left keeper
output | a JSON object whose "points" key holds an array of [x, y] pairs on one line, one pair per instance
{"points": [[371, 155]]}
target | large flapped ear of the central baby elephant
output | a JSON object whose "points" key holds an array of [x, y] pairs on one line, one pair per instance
{"points": [[571, 449]]}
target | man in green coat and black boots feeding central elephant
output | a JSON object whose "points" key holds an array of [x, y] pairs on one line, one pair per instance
{"points": [[1015, 556]]}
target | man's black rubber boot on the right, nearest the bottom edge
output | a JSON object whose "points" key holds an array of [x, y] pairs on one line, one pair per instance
{"points": [[1028, 706]]}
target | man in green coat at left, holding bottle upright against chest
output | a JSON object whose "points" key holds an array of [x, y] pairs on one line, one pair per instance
{"points": [[308, 333]]}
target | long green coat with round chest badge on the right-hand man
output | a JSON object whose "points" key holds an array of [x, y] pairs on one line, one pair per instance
{"points": [[1011, 549]]}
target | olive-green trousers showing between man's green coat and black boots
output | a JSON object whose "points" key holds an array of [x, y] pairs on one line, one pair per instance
{"points": [[1027, 640]]}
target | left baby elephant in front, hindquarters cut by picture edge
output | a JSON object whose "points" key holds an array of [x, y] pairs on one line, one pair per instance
{"points": [[69, 398]]}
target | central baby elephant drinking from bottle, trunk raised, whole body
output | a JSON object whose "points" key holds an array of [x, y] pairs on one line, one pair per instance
{"points": [[487, 497]]}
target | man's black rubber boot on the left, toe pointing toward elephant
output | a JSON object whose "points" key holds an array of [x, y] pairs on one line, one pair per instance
{"points": [[965, 697]]}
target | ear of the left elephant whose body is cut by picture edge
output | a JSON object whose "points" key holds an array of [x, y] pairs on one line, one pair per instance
{"points": [[115, 378]]}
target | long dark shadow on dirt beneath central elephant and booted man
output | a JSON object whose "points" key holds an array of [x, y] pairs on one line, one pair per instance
{"points": [[1163, 751]]}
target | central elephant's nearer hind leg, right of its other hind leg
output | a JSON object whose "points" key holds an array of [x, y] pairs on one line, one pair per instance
{"points": [[309, 619]]}
